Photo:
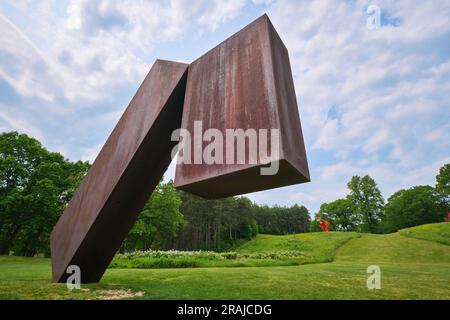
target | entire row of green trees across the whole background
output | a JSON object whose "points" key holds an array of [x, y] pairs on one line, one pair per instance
{"points": [[36, 185]]}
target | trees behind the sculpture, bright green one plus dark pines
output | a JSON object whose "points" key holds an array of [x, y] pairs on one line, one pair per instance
{"points": [[175, 219]]}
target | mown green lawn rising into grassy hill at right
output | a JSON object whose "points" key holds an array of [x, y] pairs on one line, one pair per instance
{"points": [[410, 269]]}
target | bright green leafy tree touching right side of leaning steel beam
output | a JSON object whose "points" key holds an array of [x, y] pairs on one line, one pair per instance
{"points": [[159, 221]]}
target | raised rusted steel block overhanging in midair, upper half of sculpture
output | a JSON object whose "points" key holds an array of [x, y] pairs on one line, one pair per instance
{"points": [[245, 82]]}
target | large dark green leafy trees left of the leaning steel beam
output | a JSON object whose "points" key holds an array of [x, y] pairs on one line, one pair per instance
{"points": [[35, 186]]}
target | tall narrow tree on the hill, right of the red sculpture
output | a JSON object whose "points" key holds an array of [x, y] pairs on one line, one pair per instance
{"points": [[366, 203]]}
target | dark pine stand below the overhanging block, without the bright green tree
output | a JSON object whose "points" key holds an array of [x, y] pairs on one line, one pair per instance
{"points": [[222, 224]]}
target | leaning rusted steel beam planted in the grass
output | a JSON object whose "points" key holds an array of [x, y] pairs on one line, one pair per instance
{"points": [[121, 179]]}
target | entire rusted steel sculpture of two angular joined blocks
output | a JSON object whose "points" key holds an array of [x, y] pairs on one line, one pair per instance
{"points": [[243, 83]]}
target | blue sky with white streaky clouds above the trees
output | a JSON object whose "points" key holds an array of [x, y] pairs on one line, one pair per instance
{"points": [[371, 102]]}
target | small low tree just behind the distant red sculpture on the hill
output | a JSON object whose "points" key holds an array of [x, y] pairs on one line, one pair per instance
{"points": [[340, 214]]}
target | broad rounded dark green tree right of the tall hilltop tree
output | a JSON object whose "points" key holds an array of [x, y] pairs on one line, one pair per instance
{"points": [[413, 207]]}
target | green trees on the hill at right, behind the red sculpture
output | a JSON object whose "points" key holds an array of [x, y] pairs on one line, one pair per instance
{"points": [[365, 210]]}
